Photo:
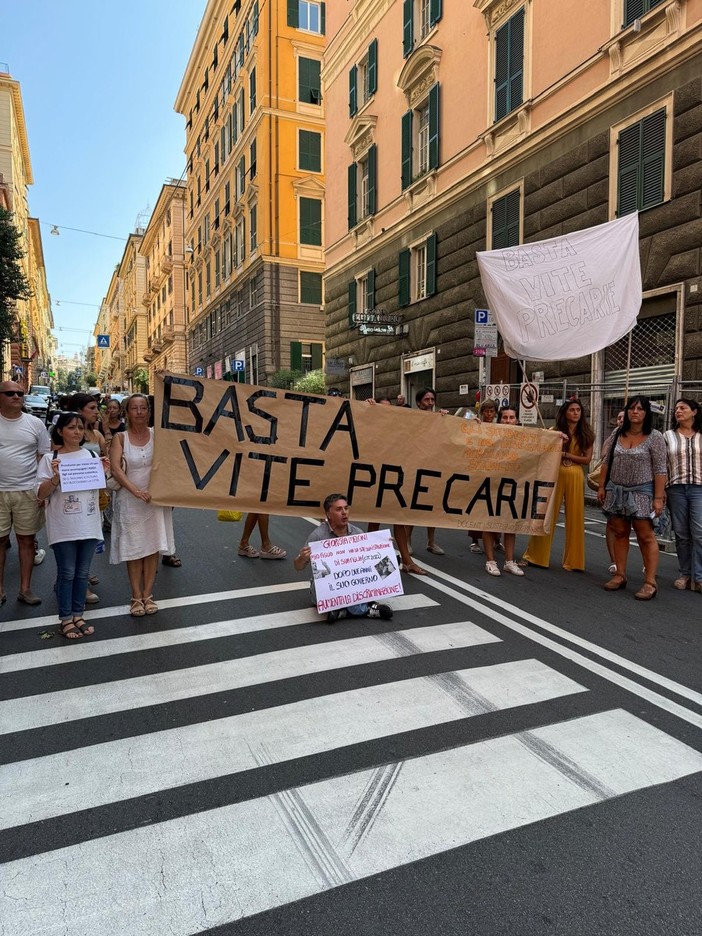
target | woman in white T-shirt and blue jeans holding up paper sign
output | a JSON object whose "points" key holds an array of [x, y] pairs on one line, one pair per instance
{"points": [[73, 524]]}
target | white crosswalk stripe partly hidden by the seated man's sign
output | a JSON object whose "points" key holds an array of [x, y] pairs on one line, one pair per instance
{"points": [[77, 651]]}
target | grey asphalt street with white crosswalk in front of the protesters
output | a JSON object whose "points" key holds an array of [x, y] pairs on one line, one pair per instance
{"points": [[506, 756]]}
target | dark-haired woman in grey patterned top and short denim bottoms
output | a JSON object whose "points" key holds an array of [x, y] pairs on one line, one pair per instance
{"points": [[632, 492]]}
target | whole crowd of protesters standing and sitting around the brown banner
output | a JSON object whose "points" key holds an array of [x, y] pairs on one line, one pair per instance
{"points": [[643, 473]]}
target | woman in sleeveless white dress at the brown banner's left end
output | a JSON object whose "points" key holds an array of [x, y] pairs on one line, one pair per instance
{"points": [[140, 530]]}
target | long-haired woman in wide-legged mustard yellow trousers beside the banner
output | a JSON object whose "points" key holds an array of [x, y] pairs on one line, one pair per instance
{"points": [[578, 439]]}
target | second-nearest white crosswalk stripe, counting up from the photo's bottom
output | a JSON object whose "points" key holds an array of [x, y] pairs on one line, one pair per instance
{"points": [[118, 770]]}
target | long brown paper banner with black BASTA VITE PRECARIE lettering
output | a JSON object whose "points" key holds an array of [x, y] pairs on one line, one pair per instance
{"points": [[232, 446]]}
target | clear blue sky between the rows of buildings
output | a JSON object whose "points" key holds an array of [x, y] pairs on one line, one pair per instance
{"points": [[99, 79]]}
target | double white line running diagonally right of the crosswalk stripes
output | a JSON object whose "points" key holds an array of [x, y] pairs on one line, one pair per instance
{"points": [[622, 681]]}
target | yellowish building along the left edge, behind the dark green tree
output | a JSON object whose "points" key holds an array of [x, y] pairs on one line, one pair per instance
{"points": [[25, 358]]}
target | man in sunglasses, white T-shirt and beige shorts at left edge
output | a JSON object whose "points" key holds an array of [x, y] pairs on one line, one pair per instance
{"points": [[23, 440]]}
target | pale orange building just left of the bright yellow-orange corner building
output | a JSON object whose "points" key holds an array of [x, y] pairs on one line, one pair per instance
{"points": [[163, 246]]}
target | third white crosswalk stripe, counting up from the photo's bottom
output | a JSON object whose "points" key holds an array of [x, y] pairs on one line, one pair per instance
{"points": [[138, 692]]}
